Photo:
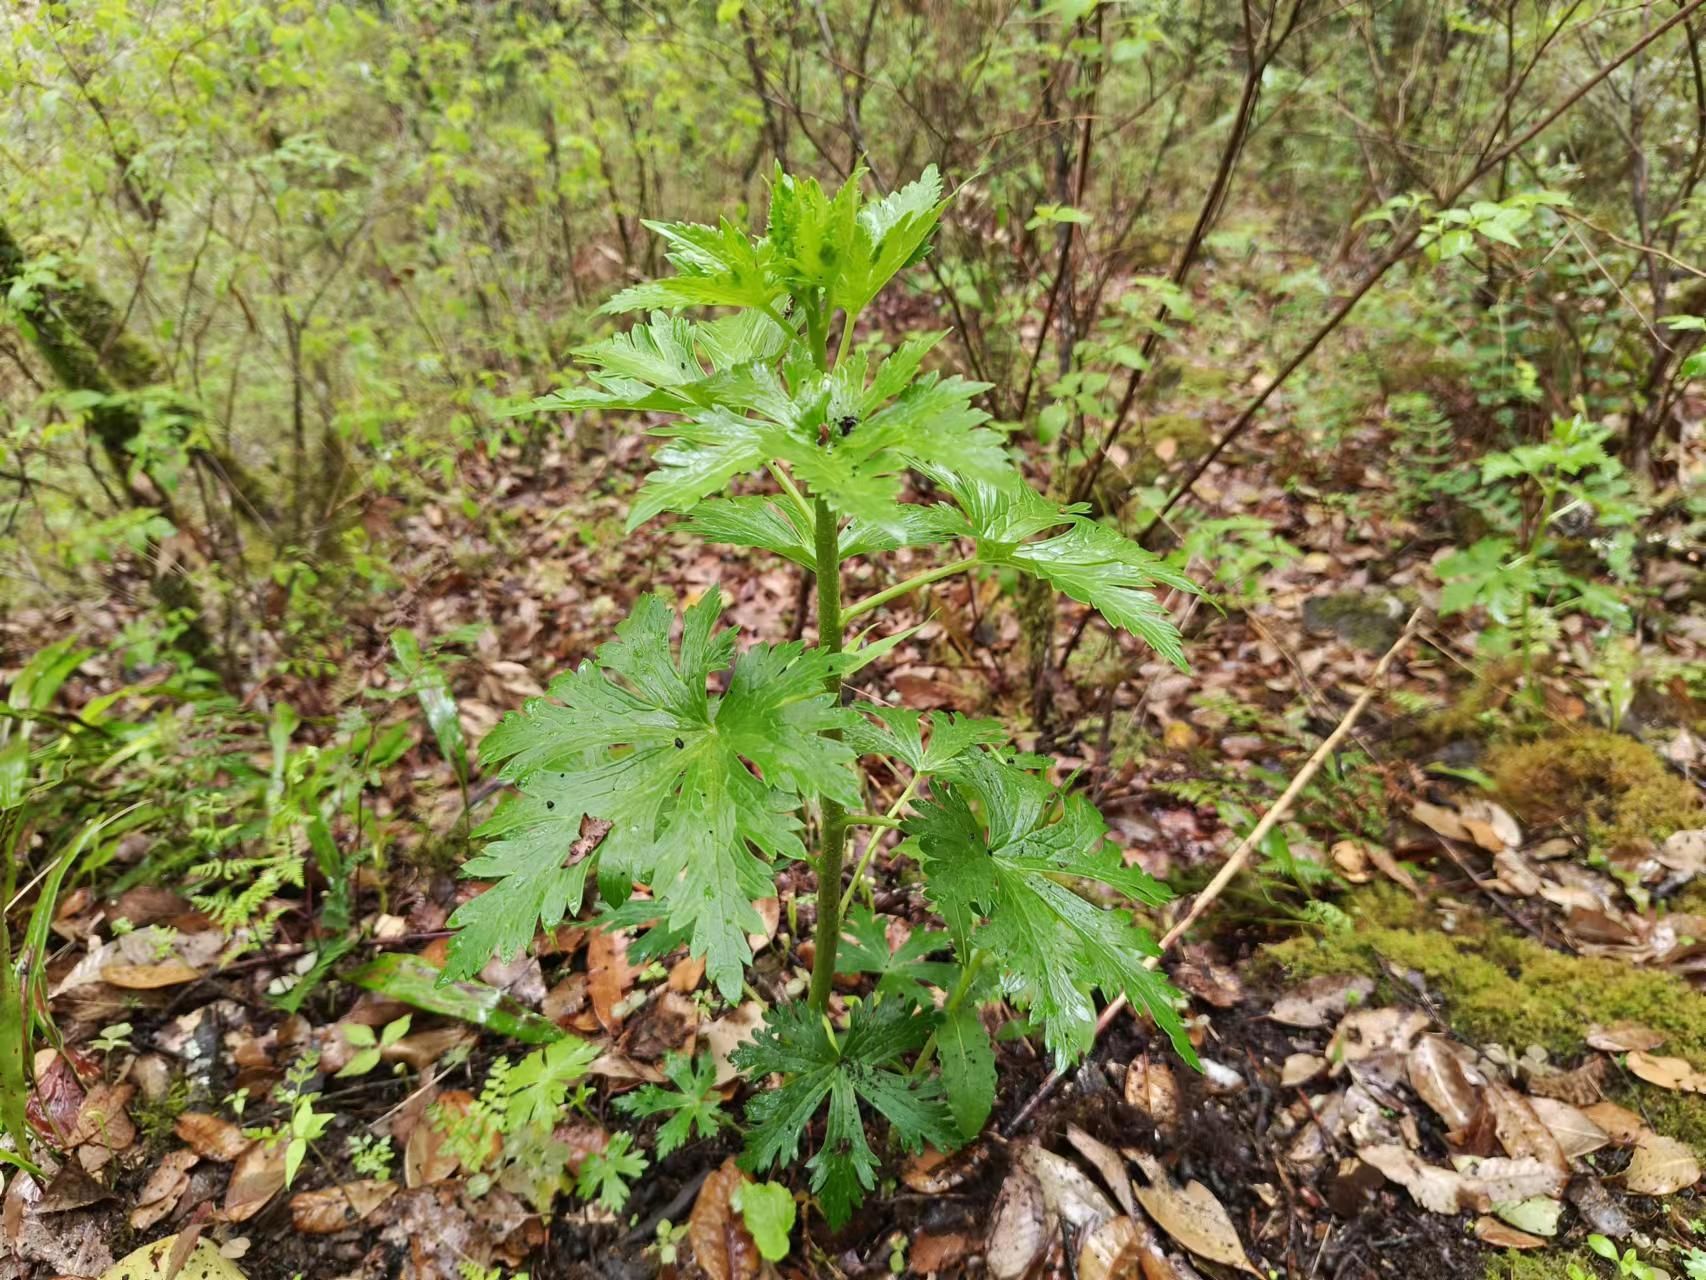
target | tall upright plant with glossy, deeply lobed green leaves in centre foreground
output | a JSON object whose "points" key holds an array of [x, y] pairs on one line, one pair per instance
{"points": [[699, 769]]}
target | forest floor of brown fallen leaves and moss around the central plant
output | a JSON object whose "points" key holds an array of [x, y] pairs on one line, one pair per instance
{"points": [[1461, 933]]}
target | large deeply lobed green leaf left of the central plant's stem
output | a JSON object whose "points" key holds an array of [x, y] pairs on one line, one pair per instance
{"points": [[700, 793]]}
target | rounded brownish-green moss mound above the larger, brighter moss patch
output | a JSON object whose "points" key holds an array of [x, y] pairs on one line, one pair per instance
{"points": [[1616, 789]]}
